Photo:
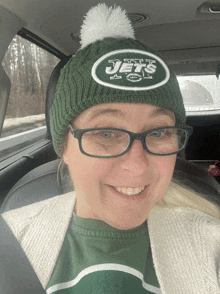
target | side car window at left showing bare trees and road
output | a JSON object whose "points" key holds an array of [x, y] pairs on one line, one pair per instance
{"points": [[29, 68]]}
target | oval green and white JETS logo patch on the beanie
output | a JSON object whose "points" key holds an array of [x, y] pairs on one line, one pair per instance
{"points": [[129, 69]]}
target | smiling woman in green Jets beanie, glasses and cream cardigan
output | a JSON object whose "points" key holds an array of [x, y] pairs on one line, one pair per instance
{"points": [[118, 123]]}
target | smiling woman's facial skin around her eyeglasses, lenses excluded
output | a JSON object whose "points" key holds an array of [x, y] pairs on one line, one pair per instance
{"points": [[95, 179]]}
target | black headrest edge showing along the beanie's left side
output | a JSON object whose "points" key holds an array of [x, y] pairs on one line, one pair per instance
{"points": [[51, 90]]}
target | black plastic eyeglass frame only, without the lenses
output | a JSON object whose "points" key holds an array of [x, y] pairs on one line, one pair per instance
{"points": [[78, 133]]}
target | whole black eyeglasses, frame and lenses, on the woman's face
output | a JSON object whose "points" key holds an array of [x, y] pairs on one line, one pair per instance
{"points": [[112, 142]]}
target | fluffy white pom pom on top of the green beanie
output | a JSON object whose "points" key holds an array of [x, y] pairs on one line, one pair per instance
{"points": [[102, 22]]}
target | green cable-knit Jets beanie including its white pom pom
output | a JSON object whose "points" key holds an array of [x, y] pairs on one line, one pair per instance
{"points": [[111, 69]]}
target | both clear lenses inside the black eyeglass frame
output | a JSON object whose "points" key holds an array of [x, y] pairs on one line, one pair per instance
{"points": [[111, 142]]}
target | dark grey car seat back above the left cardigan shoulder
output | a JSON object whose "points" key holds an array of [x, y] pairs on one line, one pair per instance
{"points": [[44, 182]]}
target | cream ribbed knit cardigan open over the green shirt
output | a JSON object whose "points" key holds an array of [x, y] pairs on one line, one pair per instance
{"points": [[185, 243]]}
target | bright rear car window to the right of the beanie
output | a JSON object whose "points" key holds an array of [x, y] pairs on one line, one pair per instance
{"points": [[201, 94]]}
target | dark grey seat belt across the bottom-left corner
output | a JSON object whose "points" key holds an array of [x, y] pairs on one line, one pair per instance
{"points": [[16, 273]]}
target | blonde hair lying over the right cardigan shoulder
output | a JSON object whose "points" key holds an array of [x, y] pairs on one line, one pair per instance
{"points": [[180, 196]]}
